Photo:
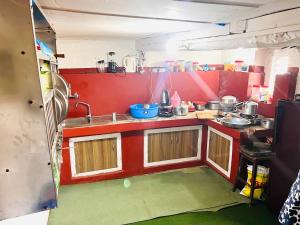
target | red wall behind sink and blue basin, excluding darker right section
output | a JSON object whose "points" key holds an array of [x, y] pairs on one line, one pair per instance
{"points": [[109, 93]]}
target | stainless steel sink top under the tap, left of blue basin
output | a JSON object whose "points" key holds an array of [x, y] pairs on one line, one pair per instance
{"points": [[96, 120]]}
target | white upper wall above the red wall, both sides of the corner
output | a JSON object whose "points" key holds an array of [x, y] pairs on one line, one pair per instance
{"points": [[81, 53]]}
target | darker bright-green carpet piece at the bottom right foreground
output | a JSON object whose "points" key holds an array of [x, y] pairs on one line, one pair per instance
{"points": [[235, 215]]}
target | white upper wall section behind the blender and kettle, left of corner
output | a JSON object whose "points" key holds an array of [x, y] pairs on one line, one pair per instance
{"points": [[84, 53]]}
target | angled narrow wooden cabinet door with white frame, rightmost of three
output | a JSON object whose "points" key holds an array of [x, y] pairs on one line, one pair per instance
{"points": [[219, 151]]}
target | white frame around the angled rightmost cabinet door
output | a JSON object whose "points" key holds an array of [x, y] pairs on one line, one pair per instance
{"points": [[225, 172]]}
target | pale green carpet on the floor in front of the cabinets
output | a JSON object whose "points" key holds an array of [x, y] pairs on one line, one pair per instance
{"points": [[144, 197]]}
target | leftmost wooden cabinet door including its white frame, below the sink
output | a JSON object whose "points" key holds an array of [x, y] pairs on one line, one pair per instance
{"points": [[95, 154]]}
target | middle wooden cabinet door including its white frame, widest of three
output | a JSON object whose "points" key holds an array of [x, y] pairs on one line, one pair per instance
{"points": [[172, 145]]}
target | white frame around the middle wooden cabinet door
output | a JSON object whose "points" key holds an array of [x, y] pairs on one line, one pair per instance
{"points": [[167, 130]]}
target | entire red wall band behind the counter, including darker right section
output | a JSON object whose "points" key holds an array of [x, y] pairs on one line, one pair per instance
{"points": [[107, 93]]}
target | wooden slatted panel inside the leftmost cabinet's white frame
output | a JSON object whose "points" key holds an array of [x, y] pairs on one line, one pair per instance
{"points": [[95, 155]]}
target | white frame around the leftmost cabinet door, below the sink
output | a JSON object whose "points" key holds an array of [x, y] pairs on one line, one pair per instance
{"points": [[72, 142]]}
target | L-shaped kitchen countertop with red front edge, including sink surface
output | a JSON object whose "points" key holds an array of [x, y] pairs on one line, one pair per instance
{"points": [[76, 127]]}
